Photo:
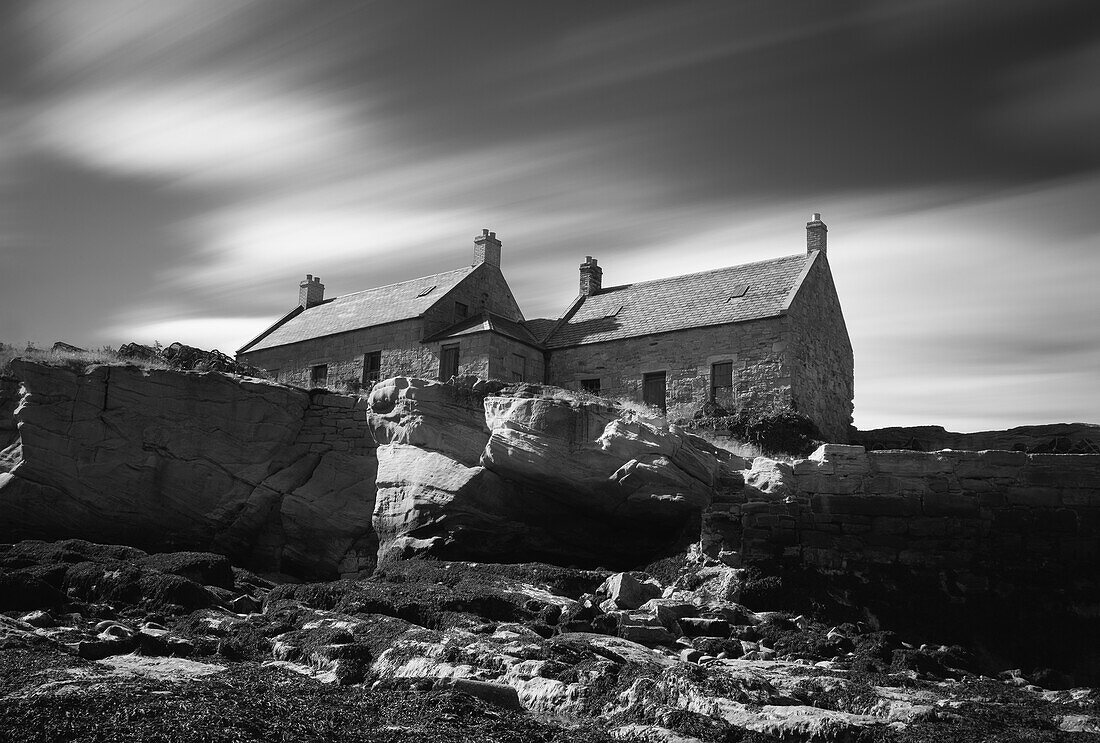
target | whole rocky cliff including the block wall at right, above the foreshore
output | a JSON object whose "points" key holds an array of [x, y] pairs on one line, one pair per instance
{"points": [[971, 547]]}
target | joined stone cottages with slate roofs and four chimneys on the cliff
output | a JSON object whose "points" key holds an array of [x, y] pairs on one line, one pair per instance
{"points": [[757, 334]]}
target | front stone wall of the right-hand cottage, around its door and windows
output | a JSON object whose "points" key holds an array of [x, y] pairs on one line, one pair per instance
{"points": [[762, 374]]}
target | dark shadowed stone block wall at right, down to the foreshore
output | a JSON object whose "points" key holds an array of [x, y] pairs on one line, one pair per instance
{"points": [[984, 549]]}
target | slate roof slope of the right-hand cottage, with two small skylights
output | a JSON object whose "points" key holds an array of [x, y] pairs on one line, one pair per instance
{"points": [[685, 302]]}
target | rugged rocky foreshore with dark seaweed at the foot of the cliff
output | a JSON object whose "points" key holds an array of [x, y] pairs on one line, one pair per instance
{"points": [[111, 643]]}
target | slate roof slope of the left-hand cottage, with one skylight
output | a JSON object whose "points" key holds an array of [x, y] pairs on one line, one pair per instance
{"points": [[362, 310]]}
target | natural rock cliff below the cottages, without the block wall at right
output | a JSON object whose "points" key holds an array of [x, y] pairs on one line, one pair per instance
{"points": [[317, 485]]}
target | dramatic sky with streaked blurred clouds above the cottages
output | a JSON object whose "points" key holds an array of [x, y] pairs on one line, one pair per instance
{"points": [[171, 171]]}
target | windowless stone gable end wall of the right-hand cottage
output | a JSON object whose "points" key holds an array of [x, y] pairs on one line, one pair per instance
{"points": [[821, 355]]}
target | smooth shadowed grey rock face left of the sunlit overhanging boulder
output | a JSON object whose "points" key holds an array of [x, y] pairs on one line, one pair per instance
{"points": [[164, 461]]}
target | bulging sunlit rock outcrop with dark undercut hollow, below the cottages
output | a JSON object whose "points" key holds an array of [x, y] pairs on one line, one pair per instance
{"points": [[532, 474]]}
